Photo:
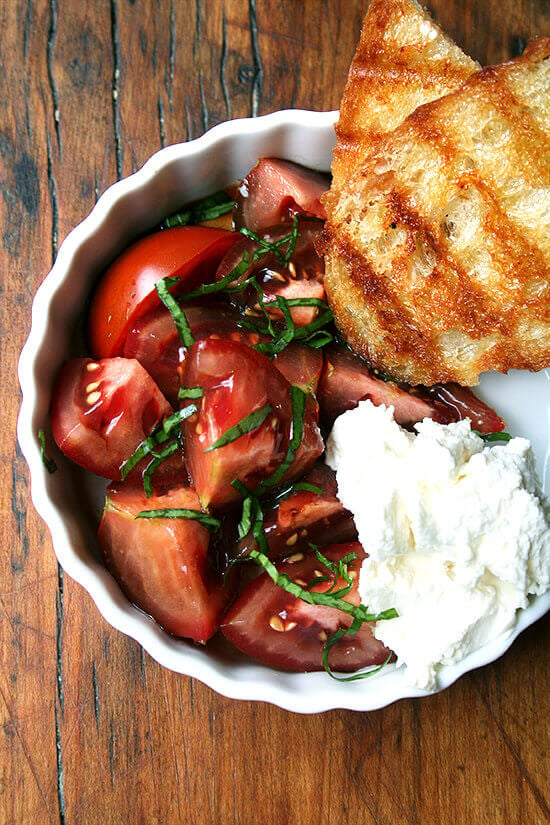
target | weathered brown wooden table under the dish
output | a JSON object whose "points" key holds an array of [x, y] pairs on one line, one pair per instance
{"points": [[93, 730]]}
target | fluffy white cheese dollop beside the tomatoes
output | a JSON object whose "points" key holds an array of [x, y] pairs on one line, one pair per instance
{"points": [[458, 533]]}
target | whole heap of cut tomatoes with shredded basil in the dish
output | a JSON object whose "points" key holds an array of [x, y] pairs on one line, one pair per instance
{"points": [[215, 375]]}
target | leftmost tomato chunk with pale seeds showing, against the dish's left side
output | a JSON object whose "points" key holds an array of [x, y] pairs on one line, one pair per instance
{"points": [[102, 410]]}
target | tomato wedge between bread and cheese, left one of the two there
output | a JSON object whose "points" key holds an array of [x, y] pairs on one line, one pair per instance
{"points": [[347, 379]]}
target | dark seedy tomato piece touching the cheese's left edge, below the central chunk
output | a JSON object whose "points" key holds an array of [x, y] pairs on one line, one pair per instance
{"points": [[306, 517]]}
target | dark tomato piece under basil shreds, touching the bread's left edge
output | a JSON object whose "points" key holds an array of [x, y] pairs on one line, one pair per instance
{"points": [[302, 277]]}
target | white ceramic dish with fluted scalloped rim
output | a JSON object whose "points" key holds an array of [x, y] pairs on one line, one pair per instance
{"points": [[70, 501]]}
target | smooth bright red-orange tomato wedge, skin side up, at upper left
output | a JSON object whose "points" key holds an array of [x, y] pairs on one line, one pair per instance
{"points": [[127, 291]]}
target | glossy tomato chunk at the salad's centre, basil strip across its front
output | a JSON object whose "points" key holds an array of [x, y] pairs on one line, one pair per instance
{"points": [[237, 381]]}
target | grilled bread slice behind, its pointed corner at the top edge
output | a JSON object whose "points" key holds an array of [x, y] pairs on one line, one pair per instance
{"points": [[403, 59]]}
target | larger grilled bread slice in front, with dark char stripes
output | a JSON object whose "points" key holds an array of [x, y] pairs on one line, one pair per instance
{"points": [[438, 249]]}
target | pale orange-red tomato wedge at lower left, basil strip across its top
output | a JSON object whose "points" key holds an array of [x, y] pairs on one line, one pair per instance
{"points": [[163, 564]]}
